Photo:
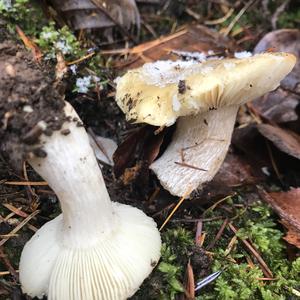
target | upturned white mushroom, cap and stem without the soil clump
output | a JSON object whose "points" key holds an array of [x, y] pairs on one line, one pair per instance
{"points": [[97, 249]]}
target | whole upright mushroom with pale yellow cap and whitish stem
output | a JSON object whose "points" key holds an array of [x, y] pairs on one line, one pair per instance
{"points": [[205, 98]]}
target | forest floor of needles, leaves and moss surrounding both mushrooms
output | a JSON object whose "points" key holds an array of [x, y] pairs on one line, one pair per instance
{"points": [[243, 228]]}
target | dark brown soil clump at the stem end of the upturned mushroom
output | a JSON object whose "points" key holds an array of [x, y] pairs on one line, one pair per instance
{"points": [[27, 96]]}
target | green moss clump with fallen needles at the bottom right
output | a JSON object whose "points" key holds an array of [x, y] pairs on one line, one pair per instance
{"points": [[241, 277]]}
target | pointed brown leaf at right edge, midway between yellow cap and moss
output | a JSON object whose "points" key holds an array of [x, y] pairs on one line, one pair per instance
{"points": [[286, 140]]}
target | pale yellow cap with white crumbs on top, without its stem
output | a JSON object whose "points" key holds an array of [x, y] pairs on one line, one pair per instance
{"points": [[160, 92]]}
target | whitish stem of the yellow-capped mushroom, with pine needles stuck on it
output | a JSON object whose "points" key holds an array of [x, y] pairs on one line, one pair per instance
{"points": [[197, 150]]}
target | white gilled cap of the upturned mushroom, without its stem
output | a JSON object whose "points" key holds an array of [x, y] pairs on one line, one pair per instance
{"points": [[109, 270]]}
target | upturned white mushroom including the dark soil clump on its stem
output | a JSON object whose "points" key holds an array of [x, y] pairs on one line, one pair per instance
{"points": [[96, 249]]}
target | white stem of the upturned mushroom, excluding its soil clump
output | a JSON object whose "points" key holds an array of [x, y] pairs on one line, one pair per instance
{"points": [[72, 171]]}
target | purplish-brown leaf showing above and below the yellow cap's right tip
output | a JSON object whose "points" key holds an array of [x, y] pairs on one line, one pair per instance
{"points": [[279, 106]]}
